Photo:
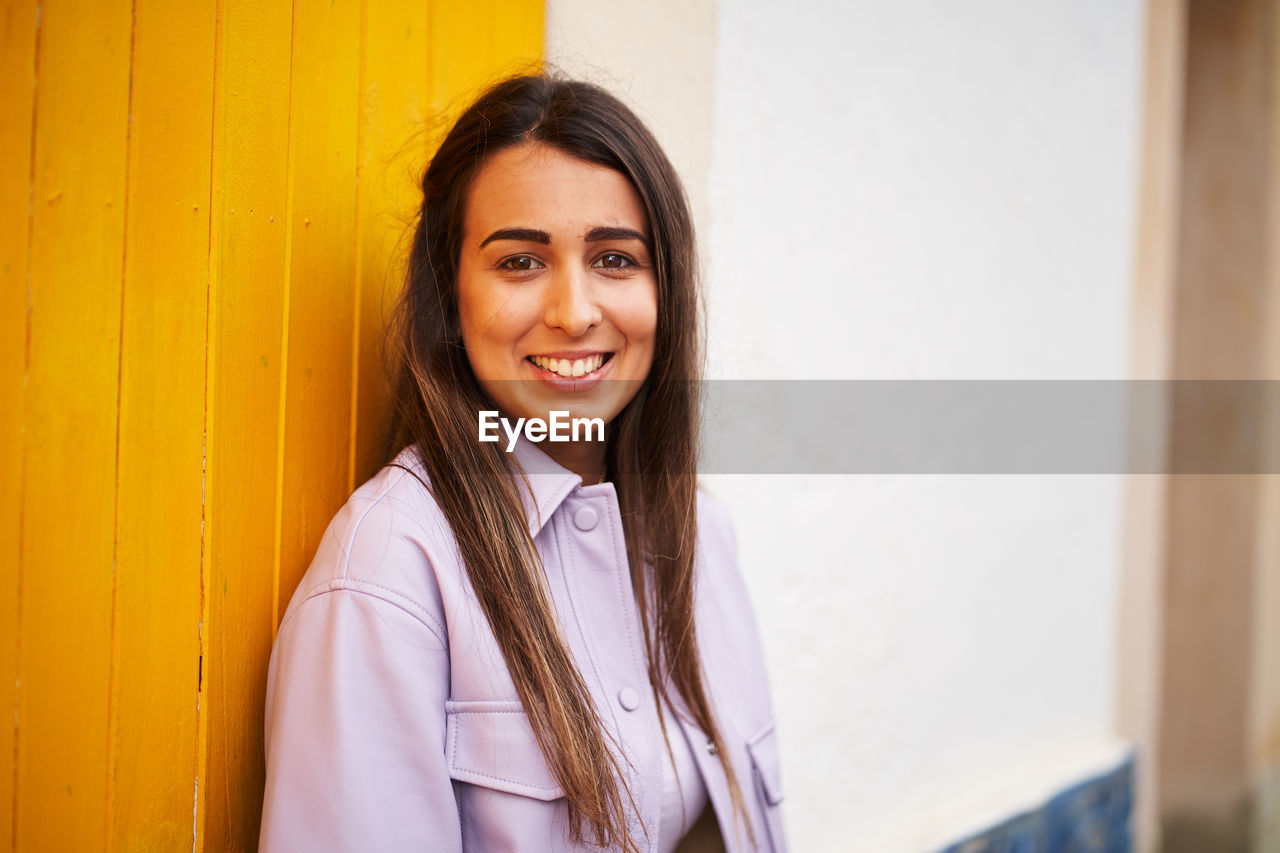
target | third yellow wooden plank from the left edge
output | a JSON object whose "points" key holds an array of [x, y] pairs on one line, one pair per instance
{"points": [[158, 603]]}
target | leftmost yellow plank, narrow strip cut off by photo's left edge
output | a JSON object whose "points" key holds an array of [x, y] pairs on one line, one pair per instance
{"points": [[17, 107]]}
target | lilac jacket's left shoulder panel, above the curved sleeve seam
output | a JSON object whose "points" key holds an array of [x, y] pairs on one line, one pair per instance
{"points": [[387, 542]]}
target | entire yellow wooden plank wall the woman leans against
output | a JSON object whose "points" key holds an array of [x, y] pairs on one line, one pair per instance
{"points": [[200, 209]]}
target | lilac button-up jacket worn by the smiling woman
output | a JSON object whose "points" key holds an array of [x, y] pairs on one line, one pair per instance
{"points": [[392, 722]]}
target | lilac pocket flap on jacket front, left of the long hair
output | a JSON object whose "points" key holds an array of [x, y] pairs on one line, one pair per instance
{"points": [[493, 745]]}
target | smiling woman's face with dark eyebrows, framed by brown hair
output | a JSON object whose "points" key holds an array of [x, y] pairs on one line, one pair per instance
{"points": [[557, 294]]}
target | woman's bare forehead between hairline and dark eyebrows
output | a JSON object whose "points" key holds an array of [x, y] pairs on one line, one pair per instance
{"points": [[536, 186]]}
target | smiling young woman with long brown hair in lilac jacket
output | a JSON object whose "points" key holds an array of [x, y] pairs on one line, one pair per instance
{"points": [[525, 645]]}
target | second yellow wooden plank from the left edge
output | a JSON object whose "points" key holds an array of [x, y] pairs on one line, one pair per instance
{"points": [[71, 423]]}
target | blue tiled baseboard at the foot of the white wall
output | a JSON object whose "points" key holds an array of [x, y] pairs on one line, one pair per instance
{"points": [[1089, 818]]}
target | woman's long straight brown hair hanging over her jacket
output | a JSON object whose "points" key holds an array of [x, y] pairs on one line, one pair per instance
{"points": [[651, 457]]}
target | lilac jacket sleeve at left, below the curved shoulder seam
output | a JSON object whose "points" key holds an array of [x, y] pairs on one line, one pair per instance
{"points": [[355, 728]]}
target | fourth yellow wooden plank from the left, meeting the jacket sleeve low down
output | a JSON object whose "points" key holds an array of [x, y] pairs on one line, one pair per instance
{"points": [[248, 273]]}
